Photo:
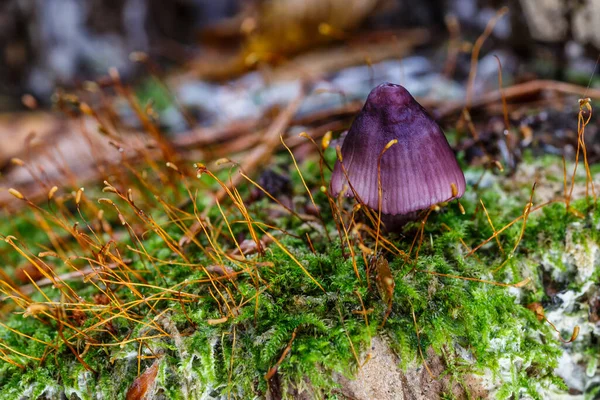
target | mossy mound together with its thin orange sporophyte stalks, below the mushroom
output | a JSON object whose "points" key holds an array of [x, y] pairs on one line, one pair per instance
{"points": [[280, 288]]}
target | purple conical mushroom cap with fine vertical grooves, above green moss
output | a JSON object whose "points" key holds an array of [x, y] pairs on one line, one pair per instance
{"points": [[416, 173]]}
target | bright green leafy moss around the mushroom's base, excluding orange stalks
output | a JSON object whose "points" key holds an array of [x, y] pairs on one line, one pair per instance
{"points": [[279, 304]]}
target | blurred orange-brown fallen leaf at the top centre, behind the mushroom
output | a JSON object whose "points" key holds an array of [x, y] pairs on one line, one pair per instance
{"points": [[272, 30]]}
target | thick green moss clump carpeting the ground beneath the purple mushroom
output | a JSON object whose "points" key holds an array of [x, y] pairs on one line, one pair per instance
{"points": [[305, 305]]}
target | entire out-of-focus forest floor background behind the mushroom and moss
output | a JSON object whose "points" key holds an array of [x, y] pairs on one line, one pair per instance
{"points": [[207, 73]]}
